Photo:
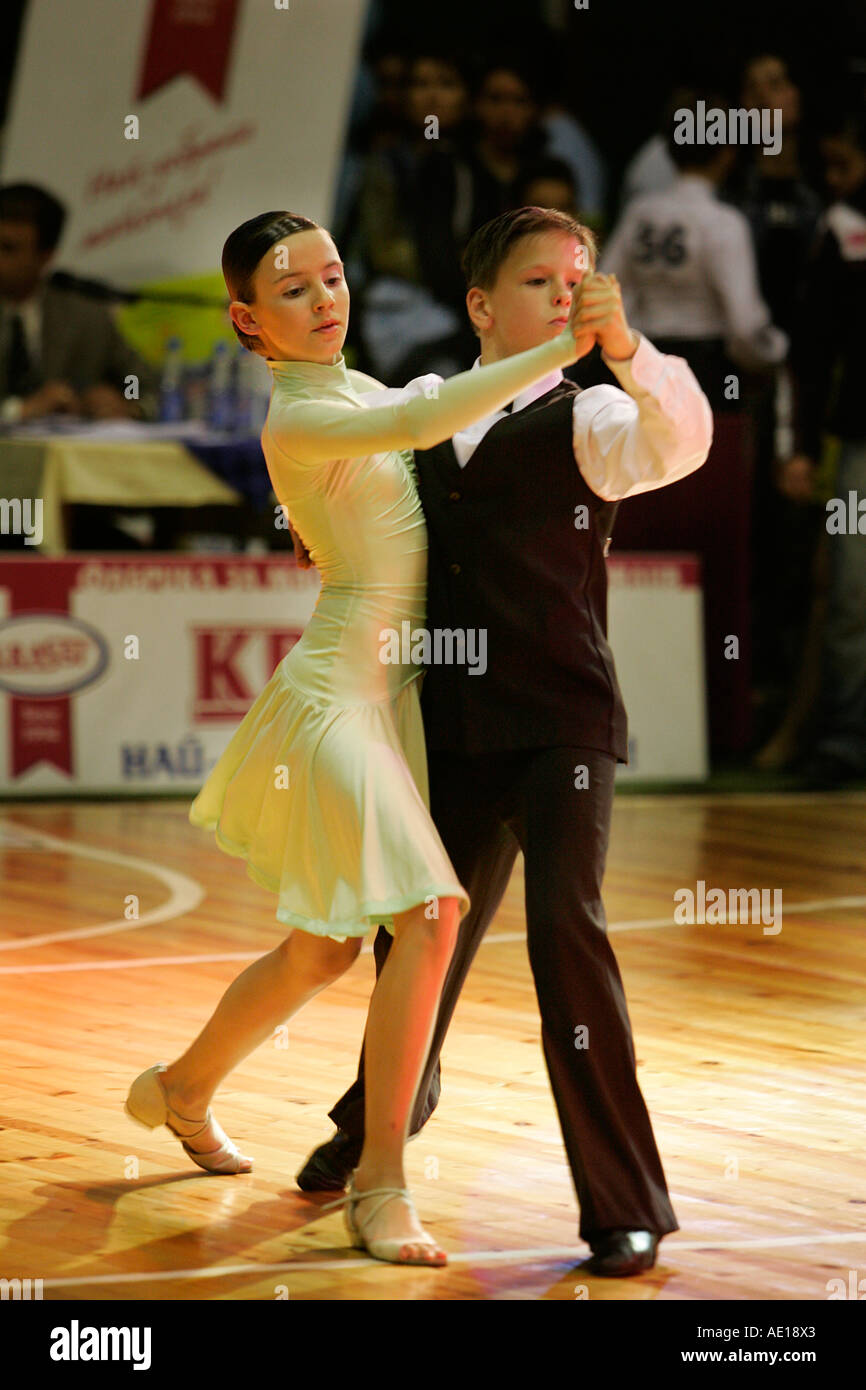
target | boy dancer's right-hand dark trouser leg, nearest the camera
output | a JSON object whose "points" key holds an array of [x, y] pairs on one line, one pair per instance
{"points": [[564, 832]]}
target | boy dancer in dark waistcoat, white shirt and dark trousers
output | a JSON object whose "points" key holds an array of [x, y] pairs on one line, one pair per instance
{"points": [[523, 757]]}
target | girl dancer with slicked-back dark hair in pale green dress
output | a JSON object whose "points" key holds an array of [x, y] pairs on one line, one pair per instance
{"points": [[323, 787]]}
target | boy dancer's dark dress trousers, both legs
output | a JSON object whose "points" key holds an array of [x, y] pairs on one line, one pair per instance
{"points": [[486, 807]]}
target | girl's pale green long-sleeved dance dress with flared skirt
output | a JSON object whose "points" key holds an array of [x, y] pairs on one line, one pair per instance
{"points": [[323, 786]]}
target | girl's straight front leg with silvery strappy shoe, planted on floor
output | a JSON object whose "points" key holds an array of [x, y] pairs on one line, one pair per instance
{"points": [[400, 1032]]}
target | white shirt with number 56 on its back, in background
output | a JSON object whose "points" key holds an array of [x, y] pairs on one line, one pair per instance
{"points": [[687, 269]]}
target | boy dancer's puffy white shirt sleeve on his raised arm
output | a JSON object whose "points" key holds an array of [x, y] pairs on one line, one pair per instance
{"points": [[658, 430]]}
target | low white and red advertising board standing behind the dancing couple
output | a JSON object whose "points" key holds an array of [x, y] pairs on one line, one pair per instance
{"points": [[126, 675]]}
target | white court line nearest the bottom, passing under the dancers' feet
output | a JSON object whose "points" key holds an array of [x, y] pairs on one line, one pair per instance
{"points": [[466, 1257]]}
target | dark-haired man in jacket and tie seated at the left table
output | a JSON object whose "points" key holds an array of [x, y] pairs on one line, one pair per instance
{"points": [[59, 352]]}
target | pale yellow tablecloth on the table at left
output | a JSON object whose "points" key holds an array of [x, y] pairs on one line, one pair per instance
{"points": [[105, 473]]}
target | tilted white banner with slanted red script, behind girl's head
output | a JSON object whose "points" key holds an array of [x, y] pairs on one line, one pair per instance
{"points": [[163, 124]]}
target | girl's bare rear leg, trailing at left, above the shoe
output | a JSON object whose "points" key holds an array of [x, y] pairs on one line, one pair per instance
{"points": [[263, 997]]}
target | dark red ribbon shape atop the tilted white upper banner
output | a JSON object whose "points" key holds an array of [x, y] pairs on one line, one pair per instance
{"points": [[188, 37]]}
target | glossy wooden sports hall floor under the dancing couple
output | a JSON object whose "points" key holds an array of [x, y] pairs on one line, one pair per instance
{"points": [[750, 1054]]}
